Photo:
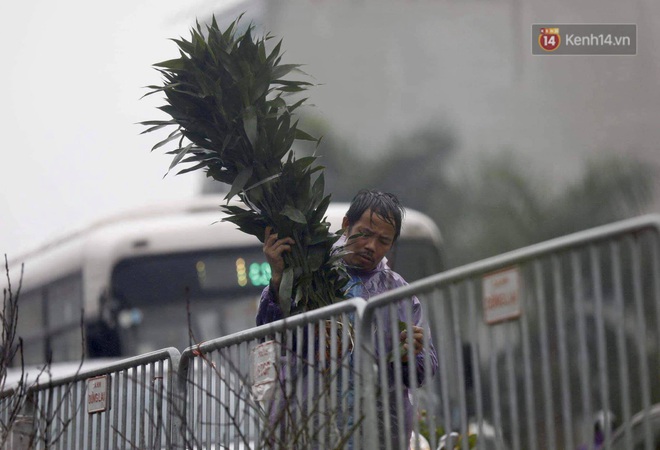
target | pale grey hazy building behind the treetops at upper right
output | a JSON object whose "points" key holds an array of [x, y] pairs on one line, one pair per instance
{"points": [[387, 68]]}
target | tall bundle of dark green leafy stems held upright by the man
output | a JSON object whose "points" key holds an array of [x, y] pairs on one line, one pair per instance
{"points": [[226, 98]]}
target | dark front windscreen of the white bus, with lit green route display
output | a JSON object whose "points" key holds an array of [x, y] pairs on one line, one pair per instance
{"points": [[153, 293]]}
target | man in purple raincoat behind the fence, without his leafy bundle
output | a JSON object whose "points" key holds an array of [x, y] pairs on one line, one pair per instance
{"points": [[371, 226]]}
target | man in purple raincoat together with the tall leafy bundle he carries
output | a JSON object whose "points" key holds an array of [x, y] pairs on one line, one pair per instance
{"points": [[226, 98]]}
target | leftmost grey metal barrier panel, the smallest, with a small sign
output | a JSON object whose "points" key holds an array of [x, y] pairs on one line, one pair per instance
{"points": [[128, 404]]}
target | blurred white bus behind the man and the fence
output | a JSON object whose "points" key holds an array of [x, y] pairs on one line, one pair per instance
{"points": [[166, 275]]}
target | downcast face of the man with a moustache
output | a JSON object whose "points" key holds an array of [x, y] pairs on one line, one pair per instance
{"points": [[377, 237]]}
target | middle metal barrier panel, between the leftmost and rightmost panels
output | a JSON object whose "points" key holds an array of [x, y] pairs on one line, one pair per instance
{"points": [[236, 396]]}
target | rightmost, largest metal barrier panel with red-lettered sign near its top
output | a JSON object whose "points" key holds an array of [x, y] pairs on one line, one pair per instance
{"points": [[534, 343]]}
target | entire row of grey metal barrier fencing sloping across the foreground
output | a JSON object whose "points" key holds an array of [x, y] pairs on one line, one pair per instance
{"points": [[532, 345]]}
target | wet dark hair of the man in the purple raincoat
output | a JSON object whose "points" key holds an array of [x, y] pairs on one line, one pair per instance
{"points": [[383, 204]]}
